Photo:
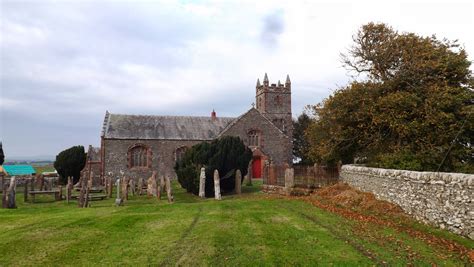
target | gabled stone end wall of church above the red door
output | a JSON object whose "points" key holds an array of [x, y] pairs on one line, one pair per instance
{"points": [[274, 144]]}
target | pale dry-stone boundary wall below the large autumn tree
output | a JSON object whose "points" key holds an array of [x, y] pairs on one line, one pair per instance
{"points": [[445, 200]]}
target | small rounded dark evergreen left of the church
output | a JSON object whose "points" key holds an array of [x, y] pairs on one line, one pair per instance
{"points": [[70, 162]]}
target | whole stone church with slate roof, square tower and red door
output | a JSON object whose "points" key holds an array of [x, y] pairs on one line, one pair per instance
{"points": [[135, 145]]}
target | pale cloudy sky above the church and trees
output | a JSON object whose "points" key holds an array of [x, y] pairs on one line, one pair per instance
{"points": [[64, 63]]}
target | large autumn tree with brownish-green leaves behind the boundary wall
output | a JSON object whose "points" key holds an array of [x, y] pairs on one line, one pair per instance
{"points": [[413, 110]]}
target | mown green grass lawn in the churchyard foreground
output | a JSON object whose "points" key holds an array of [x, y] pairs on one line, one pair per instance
{"points": [[251, 229]]}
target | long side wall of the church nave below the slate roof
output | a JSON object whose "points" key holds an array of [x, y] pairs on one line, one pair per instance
{"points": [[163, 157]]}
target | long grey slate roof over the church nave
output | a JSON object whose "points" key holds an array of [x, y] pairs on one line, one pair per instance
{"points": [[119, 126]]}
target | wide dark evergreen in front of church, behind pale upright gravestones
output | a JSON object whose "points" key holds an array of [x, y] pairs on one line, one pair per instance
{"points": [[226, 154]]}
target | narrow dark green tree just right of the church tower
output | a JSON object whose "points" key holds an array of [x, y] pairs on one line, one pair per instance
{"points": [[300, 142]]}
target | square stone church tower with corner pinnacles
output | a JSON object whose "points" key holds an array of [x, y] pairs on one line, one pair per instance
{"points": [[274, 102]]}
